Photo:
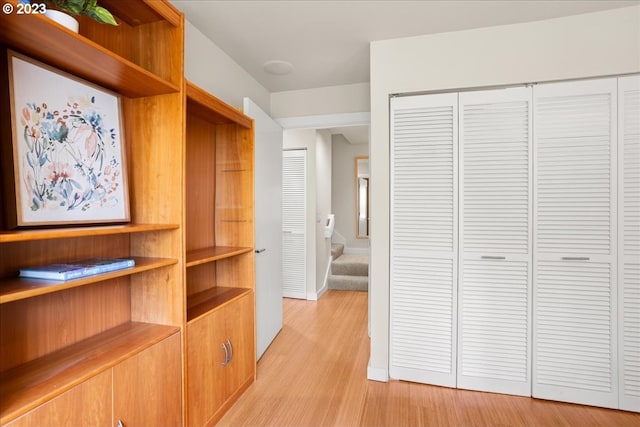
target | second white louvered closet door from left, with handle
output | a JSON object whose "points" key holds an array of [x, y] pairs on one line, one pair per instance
{"points": [[494, 292]]}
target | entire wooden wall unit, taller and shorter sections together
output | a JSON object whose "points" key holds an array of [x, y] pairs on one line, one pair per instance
{"points": [[97, 350]]}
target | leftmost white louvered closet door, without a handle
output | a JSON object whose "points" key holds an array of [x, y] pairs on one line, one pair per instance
{"points": [[424, 197]]}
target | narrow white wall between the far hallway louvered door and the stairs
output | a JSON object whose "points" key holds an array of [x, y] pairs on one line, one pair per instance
{"points": [[323, 207]]}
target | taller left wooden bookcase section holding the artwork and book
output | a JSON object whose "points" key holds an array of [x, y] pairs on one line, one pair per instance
{"points": [[57, 336]]}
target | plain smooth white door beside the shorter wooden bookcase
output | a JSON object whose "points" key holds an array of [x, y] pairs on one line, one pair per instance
{"points": [[268, 185]]}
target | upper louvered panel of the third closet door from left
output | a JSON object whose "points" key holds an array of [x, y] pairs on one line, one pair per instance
{"points": [[573, 174]]}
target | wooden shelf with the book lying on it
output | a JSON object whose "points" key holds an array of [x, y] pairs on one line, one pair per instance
{"points": [[16, 288]]}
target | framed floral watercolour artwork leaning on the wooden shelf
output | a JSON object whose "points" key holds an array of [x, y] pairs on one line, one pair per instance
{"points": [[68, 149]]}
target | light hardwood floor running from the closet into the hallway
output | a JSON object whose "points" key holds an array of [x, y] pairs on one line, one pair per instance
{"points": [[314, 374]]}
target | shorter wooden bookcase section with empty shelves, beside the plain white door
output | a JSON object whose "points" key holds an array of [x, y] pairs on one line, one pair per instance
{"points": [[220, 258]]}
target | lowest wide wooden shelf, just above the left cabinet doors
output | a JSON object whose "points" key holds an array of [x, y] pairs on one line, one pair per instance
{"points": [[33, 383]]}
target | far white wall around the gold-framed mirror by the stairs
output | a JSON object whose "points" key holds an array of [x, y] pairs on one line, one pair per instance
{"points": [[343, 188]]}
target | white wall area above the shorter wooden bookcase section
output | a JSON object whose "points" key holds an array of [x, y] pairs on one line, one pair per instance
{"points": [[207, 66]]}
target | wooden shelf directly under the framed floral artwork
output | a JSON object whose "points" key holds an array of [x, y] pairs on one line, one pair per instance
{"points": [[64, 233]]}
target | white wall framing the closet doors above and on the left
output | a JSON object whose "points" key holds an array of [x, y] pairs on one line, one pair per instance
{"points": [[589, 45]]}
